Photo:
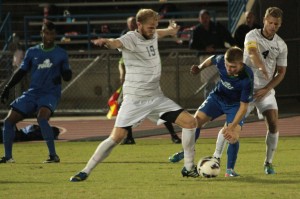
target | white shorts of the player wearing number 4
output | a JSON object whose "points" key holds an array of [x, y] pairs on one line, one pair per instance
{"points": [[267, 103]]}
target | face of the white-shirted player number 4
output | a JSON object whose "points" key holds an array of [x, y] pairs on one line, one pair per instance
{"points": [[271, 26]]}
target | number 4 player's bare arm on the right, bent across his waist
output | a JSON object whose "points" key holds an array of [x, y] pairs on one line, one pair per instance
{"points": [[279, 76]]}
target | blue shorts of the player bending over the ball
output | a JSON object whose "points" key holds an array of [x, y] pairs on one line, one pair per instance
{"points": [[214, 106]]}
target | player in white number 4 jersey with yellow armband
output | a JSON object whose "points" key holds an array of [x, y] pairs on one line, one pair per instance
{"points": [[266, 53]]}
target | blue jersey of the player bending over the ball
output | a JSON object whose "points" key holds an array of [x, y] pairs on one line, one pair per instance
{"points": [[233, 89]]}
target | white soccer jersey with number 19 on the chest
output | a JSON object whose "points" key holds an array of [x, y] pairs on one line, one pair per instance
{"points": [[143, 66]]}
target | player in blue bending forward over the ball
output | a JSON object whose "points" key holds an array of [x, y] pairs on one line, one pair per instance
{"points": [[231, 95]]}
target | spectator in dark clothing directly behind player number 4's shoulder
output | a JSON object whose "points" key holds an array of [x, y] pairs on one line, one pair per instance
{"points": [[243, 29]]}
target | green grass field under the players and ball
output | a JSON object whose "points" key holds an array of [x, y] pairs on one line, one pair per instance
{"points": [[143, 171]]}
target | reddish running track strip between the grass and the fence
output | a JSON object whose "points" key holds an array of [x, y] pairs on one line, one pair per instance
{"points": [[77, 128]]}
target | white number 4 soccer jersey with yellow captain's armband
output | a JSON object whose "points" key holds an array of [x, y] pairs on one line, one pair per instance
{"points": [[272, 52]]}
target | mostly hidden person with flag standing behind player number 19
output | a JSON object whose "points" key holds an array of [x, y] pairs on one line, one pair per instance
{"points": [[131, 26]]}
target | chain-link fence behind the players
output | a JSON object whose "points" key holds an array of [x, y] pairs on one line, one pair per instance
{"points": [[96, 77]]}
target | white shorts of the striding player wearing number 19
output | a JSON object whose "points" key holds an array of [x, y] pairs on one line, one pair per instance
{"points": [[133, 112]]}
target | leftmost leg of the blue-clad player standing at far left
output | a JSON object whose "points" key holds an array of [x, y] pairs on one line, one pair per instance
{"points": [[9, 134]]}
